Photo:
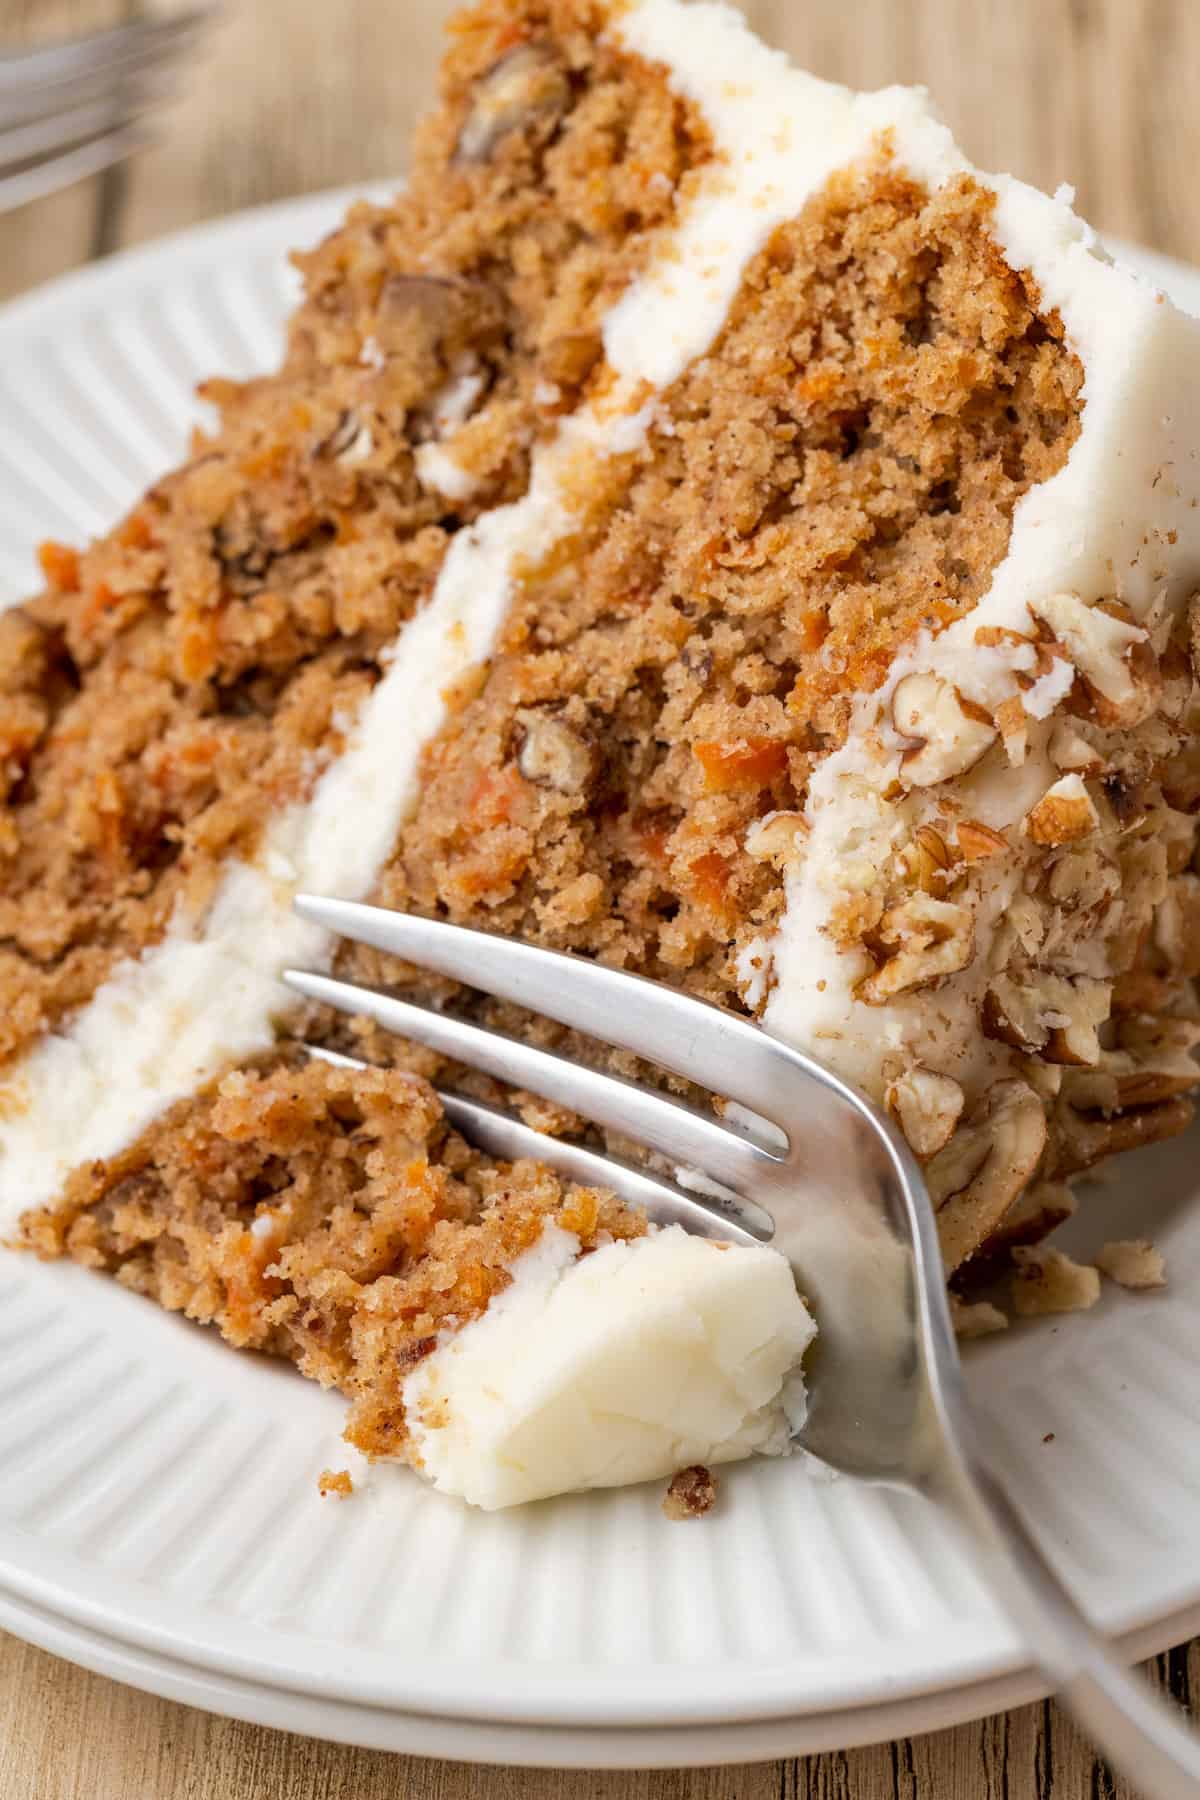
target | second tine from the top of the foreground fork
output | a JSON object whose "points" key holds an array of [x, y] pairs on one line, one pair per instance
{"points": [[661, 1124]]}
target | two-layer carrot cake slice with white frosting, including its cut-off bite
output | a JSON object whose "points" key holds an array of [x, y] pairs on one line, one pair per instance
{"points": [[703, 525]]}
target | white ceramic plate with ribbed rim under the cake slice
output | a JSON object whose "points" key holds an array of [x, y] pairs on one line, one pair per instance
{"points": [[159, 1511]]}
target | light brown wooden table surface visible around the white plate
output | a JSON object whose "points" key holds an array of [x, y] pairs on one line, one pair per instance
{"points": [[294, 96]]}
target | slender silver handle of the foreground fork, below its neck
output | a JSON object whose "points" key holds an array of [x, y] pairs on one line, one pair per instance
{"points": [[1151, 1743]]}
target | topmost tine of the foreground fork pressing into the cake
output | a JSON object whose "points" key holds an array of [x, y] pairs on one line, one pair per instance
{"points": [[690, 1038]]}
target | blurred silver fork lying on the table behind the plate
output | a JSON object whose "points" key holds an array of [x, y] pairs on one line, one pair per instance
{"points": [[75, 109]]}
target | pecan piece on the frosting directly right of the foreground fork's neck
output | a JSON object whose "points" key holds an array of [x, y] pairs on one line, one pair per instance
{"points": [[985, 1167]]}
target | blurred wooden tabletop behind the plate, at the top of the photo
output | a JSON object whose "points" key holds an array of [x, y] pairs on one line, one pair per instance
{"points": [[289, 96]]}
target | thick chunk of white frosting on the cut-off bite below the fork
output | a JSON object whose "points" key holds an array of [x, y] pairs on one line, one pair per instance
{"points": [[623, 1365]]}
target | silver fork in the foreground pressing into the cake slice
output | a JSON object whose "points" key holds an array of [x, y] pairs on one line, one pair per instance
{"points": [[823, 1176]]}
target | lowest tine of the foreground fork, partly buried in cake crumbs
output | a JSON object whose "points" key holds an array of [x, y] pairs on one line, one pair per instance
{"points": [[508, 1138]]}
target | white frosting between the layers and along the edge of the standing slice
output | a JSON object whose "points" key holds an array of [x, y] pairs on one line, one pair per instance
{"points": [[210, 993]]}
